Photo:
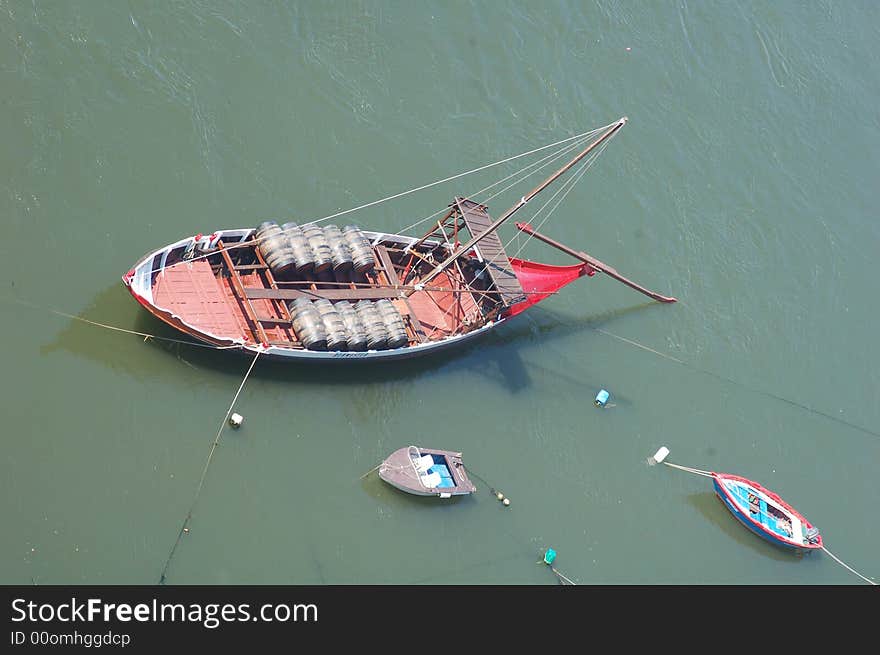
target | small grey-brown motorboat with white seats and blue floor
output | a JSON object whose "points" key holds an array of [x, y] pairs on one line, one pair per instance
{"points": [[426, 472]]}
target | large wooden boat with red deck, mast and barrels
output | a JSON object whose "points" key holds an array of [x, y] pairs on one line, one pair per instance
{"points": [[305, 292]]}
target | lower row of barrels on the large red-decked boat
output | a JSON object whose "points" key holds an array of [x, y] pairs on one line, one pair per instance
{"points": [[365, 325]]}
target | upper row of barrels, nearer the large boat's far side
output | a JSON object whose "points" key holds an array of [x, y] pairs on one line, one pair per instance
{"points": [[292, 250]]}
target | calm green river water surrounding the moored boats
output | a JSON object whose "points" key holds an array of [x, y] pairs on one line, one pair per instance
{"points": [[744, 184]]}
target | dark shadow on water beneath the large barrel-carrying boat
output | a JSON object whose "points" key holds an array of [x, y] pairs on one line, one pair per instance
{"points": [[496, 356]]}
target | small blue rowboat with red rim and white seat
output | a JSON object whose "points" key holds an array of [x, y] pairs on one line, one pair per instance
{"points": [[765, 513]]}
